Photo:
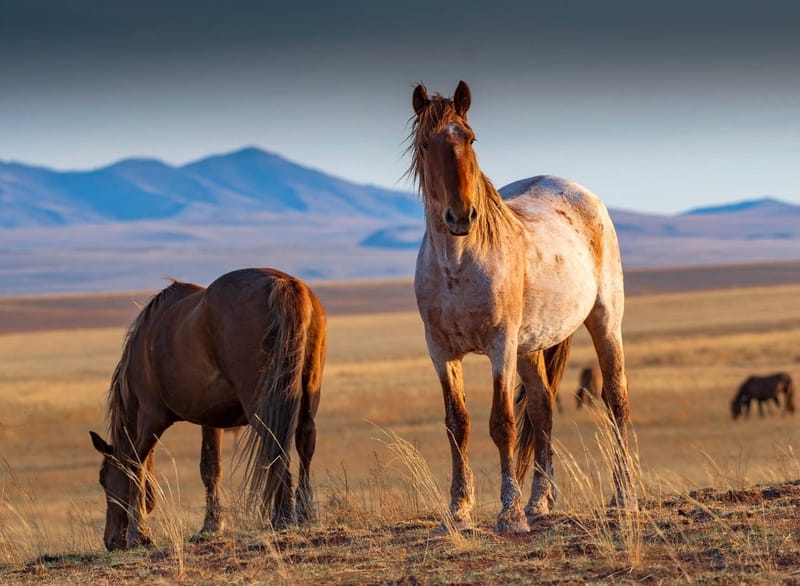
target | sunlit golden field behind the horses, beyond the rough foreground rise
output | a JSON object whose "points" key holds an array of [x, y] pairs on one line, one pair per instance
{"points": [[686, 355]]}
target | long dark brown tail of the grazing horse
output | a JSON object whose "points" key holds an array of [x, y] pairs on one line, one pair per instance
{"points": [[280, 392]]}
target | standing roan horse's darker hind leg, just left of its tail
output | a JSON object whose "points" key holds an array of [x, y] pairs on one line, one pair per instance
{"points": [[539, 410]]}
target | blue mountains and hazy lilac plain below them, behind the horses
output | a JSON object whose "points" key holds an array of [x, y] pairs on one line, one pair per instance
{"points": [[128, 225]]}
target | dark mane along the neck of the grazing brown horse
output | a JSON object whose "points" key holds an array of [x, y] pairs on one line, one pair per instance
{"points": [[119, 394]]}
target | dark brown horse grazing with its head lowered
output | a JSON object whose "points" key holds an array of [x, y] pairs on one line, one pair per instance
{"points": [[248, 349]]}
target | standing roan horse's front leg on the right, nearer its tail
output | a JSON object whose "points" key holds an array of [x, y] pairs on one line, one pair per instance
{"points": [[503, 432]]}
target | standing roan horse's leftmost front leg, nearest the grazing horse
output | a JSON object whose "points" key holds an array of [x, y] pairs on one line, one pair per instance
{"points": [[462, 497]]}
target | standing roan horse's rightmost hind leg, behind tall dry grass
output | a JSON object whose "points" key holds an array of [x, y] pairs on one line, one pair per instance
{"points": [[604, 327]]}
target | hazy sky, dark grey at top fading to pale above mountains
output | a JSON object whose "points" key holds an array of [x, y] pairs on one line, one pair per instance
{"points": [[655, 106]]}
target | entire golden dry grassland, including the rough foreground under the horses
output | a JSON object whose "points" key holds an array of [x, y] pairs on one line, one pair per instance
{"points": [[382, 465]]}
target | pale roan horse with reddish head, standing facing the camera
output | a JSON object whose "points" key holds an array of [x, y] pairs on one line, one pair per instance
{"points": [[513, 280]]}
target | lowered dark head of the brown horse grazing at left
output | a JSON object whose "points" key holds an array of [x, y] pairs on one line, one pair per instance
{"points": [[116, 485]]}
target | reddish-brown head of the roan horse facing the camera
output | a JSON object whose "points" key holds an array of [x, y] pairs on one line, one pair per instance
{"points": [[444, 161]]}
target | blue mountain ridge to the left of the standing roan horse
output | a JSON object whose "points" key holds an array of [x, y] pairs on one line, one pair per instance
{"points": [[219, 186]]}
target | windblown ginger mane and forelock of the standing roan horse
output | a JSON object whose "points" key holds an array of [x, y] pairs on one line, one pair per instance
{"points": [[437, 114]]}
